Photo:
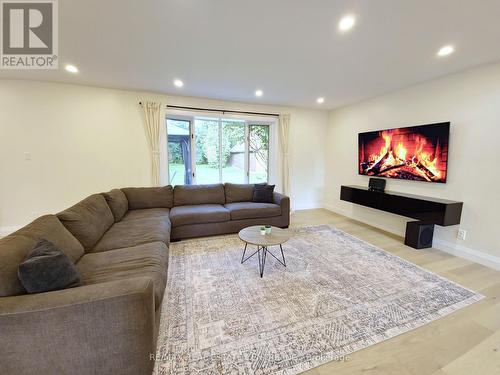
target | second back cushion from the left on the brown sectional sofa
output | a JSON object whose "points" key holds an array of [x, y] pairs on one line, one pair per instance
{"points": [[88, 220]]}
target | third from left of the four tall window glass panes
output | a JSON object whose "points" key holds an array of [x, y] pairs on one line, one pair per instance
{"points": [[233, 151]]}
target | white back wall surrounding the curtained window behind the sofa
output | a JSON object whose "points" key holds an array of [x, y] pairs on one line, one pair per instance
{"points": [[85, 139]]}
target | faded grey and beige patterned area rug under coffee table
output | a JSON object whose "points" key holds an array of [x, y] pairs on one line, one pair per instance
{"points": [[337, 295]]}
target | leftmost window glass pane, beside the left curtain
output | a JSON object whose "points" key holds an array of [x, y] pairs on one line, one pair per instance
{"points": [[179, 152]]}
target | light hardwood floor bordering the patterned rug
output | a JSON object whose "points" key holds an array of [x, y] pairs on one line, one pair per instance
{"points": [[466, 342]]}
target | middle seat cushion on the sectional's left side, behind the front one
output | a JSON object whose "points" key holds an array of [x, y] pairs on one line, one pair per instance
{"points": [[135, 232]]}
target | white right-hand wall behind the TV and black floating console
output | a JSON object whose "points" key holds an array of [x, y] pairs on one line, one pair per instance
{"points": [[471, 102]]}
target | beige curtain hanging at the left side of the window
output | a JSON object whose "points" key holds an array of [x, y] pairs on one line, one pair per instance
{"points": [[152, 119]]}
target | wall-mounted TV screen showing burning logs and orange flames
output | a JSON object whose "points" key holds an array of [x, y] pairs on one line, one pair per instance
{"points": [[418, 153]]}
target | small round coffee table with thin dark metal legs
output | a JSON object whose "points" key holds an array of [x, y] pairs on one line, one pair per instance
{"points": [[252, 236]]}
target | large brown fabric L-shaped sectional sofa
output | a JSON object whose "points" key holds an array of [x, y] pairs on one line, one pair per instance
{"points": [[119, 243]]}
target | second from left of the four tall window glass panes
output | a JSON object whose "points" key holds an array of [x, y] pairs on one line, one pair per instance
{"points": [[207, 151]]}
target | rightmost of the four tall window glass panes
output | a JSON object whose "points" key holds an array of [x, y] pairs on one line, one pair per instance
{"points": [[258, 153]]}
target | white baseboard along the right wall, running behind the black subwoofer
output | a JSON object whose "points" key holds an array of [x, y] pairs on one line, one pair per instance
{"points": [[446, 246]]}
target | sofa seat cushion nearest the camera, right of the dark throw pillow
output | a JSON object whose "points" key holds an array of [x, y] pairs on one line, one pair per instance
{"points": [[144, 260]]}
